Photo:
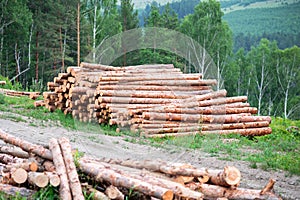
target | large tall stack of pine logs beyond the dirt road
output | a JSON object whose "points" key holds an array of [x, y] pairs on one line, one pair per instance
{"points": [[153, 100]]}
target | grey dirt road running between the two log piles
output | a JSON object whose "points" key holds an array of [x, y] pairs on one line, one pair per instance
{"points": [[99, 145]]}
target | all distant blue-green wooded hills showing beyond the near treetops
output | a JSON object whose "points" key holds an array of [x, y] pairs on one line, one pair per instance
{"points": [[249, 26]]}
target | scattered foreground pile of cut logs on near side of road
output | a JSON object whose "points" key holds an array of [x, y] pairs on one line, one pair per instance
{"points": [[27, 167]]}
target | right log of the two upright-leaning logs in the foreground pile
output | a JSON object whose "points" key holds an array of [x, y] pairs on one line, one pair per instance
{"points": [[71, 169]]}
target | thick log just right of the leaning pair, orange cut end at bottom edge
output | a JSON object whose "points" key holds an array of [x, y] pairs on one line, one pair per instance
{"points": [[100, 173]]}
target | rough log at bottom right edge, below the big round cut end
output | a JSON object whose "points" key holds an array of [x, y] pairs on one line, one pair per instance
{"points": [[214, 191]]}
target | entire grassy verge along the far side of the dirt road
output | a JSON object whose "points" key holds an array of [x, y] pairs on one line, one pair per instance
{"points": [[279, 150]]}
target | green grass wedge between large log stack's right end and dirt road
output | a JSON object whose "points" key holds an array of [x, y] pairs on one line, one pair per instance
{"points": [[279, 150]]}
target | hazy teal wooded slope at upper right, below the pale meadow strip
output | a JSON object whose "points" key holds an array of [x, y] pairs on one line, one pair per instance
{"points": [[280, 23]]}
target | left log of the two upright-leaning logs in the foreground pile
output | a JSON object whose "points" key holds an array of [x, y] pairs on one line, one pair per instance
{"points": [[64, 188]]}
